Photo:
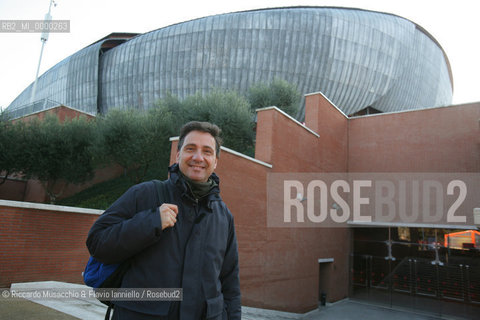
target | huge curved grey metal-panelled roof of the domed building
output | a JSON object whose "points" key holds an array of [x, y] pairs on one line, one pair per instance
{"points": [[356, 58]]}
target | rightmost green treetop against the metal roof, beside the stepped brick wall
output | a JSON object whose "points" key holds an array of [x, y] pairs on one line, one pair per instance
{"points": [[278, 93]]}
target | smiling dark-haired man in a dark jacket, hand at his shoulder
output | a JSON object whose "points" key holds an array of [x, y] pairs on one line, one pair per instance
{"points": [[188, 243]]}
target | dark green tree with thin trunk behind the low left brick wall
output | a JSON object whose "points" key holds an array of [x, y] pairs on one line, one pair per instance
{"points": [[55, 152]]}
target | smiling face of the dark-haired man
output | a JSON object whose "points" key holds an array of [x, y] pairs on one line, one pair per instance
{"points": [[197, 158]]}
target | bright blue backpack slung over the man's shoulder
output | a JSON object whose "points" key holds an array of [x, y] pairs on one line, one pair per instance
{"points": [[100, 275]]}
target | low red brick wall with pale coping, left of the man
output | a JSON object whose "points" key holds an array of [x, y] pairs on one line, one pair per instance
{"points": [[38, 245]]}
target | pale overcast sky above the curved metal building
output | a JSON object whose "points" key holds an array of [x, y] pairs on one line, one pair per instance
{"points": [[455, 24]]}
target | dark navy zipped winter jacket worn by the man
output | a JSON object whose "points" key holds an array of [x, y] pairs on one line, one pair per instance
{"points": [[199, 254]]}
